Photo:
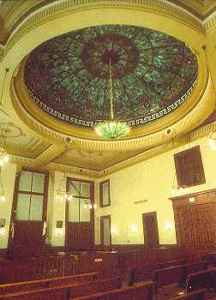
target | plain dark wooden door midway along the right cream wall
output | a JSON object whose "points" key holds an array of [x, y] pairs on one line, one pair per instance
{"points": [[150, 229]]}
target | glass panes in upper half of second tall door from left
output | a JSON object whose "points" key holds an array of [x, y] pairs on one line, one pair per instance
{"points": [[79, 208]]}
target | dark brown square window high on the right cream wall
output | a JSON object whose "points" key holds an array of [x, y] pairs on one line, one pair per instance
{"points": [[189, 167]]}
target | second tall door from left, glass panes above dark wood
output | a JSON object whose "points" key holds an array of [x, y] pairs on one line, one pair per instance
{"points": [[80, 215]]}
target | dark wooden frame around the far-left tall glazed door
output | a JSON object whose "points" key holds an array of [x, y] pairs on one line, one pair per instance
{"points": [[15, 197]]}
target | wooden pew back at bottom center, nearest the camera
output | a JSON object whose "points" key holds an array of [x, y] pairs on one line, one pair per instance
{"points": [[144, 291]]}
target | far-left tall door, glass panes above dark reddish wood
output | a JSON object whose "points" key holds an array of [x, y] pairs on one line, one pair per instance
{"points": [[27, 236]]}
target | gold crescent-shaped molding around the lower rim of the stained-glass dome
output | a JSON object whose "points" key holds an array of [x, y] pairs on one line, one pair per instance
{"points": [[160, 131]]}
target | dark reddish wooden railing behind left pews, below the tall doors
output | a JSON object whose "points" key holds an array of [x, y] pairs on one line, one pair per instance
{"points": [[58, 265]]}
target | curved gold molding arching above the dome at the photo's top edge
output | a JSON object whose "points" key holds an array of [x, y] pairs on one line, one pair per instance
{"points": [[58, 8]]}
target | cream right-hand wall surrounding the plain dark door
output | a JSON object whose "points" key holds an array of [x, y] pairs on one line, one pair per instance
{"points": [[150, 180]]}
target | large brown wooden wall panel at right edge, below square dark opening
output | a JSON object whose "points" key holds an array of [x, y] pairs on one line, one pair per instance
{"points": [[196, 221]]}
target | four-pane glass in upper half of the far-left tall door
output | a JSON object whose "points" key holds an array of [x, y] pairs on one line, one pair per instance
{"points": [[30, 196]]}
